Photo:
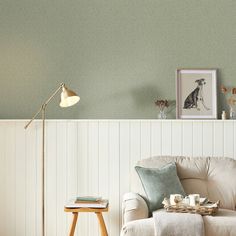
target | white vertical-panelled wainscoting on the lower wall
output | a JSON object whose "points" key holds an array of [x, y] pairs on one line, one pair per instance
{"points": [[90, 157]]}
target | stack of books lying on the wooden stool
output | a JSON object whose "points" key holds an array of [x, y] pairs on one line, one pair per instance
{"points": [[87, 202]]}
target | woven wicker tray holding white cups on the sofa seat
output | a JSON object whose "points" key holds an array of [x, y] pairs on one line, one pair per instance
{"points": [[210, 208]]}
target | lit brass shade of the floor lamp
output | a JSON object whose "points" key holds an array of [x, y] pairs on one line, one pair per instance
{"points": [[68, 97]]}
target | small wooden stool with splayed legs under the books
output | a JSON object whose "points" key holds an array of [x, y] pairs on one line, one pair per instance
{"points": [[97, 211]]}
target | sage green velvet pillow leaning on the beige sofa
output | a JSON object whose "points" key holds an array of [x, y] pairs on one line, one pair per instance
{"points": [[159, 183]]}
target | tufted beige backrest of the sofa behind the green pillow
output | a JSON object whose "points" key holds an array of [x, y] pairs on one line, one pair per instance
{"points": [[212, 177]]}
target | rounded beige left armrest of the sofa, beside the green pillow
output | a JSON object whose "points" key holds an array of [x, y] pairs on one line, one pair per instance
{"points": [[134, 207]]}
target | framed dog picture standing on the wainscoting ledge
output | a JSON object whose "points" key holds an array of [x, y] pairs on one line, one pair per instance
{"points": [[196, 95]]}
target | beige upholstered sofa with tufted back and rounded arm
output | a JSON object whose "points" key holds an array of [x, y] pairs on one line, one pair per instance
{"points": [[214, 178]]}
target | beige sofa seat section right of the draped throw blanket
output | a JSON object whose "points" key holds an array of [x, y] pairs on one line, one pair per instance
{"points": [[224, 223]]}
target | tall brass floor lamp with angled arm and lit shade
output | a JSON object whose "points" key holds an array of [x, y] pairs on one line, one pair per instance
{"points": [[68, 98]]}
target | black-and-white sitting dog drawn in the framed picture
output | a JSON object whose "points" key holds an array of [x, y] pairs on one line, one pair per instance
{"points": [[196, 96]]}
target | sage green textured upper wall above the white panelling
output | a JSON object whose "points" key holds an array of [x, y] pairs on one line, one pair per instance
{"points": [[119, 55]]}
